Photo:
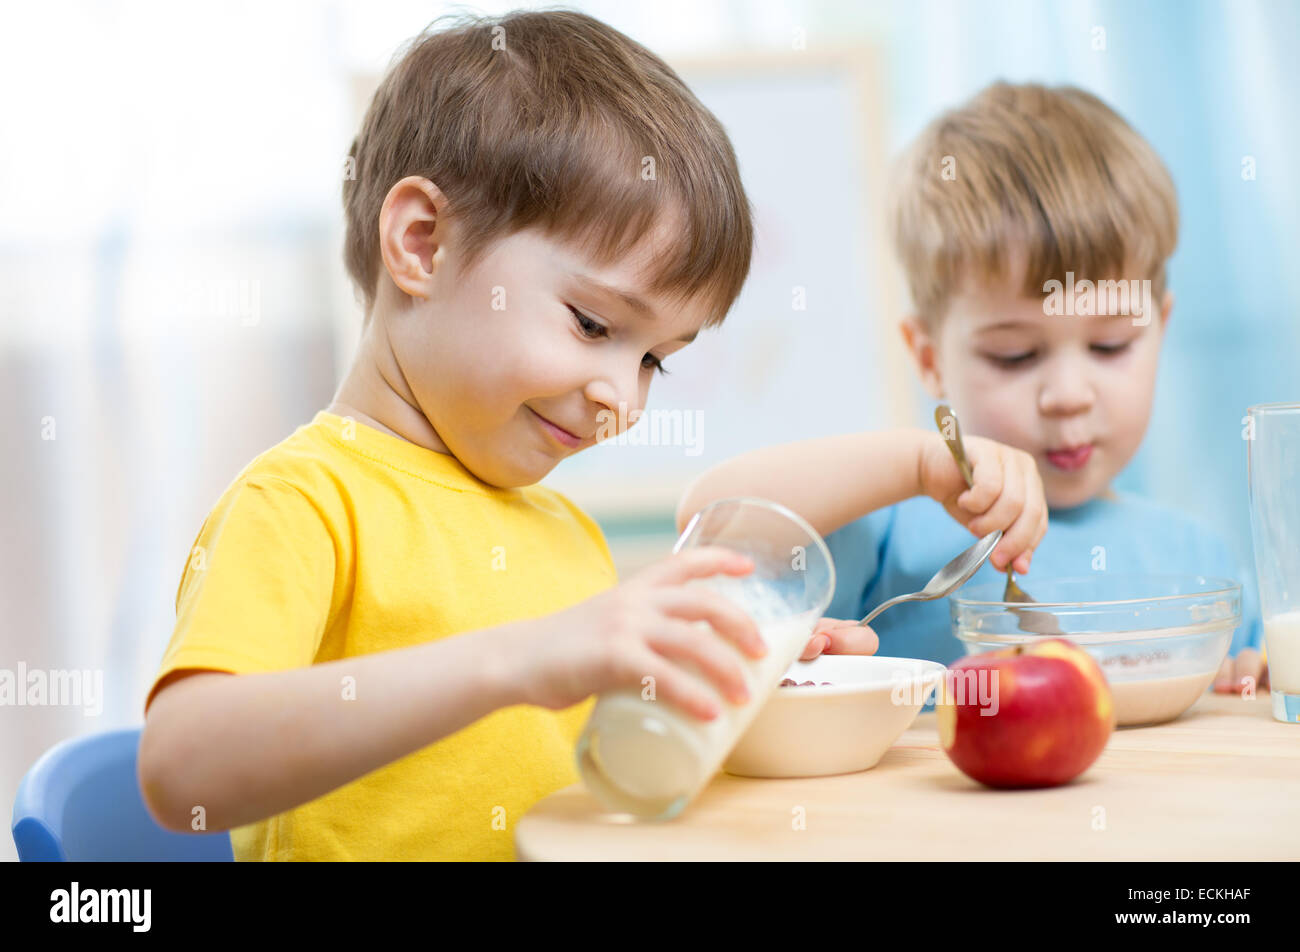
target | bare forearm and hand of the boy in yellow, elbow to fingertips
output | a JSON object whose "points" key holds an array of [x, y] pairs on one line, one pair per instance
{"points": [[248, 747]]}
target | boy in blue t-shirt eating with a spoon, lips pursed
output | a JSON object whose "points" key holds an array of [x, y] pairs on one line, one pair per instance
{"points": [[1034, 226]]}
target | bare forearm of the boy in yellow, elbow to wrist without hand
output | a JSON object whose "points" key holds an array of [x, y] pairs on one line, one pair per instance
{"points": [[250, 746]]}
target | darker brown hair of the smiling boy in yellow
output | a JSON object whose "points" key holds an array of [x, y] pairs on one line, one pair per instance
{"points": [[553, 119]]}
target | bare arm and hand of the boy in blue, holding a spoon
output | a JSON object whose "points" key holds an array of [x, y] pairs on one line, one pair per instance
{"points": [[835, 481]]}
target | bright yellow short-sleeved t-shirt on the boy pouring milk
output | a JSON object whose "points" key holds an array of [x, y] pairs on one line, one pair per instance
{"points": [[344, 540]]}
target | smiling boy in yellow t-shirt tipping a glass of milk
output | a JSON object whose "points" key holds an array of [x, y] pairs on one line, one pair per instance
{"points": [[388, 635]]}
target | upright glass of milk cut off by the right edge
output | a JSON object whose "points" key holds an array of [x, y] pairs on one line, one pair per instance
{"points": [[1273, 442]]}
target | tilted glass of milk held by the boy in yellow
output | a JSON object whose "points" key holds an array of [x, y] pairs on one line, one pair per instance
{"points": [[648, 758]]}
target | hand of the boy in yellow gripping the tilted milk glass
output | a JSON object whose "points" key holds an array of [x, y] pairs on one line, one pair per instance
{"points": [[644, 629]]}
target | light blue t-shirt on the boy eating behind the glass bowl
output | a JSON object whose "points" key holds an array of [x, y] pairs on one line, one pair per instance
{"points": [[898, 549]]}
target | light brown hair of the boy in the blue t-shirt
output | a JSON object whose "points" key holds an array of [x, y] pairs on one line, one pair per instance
{"points": [[1054, 174]]}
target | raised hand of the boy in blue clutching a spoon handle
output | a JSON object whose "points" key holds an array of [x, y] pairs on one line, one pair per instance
{"points": [[1007, 495]]}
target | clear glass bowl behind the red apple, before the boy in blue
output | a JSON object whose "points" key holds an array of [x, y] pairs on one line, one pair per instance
{"points": [[1159, 639]]}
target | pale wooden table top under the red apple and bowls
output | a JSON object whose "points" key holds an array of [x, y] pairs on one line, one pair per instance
{"points": [[1223, 782]]}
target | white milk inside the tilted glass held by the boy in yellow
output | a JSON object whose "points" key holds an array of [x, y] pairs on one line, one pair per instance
{"points": [[651, 759]]}
